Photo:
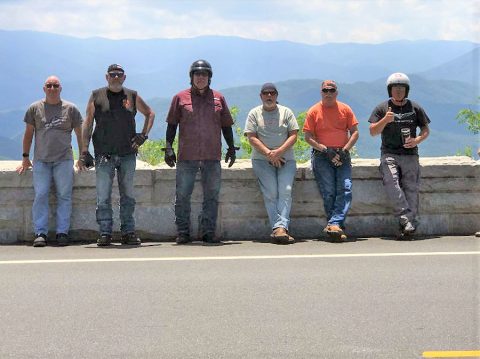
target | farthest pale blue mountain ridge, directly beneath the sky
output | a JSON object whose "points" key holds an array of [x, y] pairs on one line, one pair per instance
{"points": [[159, 67]]}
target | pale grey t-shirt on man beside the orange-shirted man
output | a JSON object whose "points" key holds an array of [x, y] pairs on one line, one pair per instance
{"points": [[272, 128]]}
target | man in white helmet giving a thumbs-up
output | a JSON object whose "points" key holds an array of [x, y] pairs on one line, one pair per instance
{"points": [[397, 120]]}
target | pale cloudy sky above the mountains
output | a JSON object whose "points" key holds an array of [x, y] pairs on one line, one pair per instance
{"points": [[305, 21]]}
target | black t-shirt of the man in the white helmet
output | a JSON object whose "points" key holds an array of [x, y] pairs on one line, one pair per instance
{"points": [[411, 115]]}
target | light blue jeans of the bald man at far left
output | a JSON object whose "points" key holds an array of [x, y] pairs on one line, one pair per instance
{"points": [[62, 174]]}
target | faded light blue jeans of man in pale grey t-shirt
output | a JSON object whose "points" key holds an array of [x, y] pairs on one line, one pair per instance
{"points": [[276, 186]]}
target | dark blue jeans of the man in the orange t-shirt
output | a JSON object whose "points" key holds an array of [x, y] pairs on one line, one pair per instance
{"points": [[335, 185]]}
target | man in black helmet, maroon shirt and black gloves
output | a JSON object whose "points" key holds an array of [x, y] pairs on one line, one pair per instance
{"points": [[202, 114]]}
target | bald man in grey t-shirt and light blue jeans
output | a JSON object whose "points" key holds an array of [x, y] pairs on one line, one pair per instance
{"points": [[51, 121]]}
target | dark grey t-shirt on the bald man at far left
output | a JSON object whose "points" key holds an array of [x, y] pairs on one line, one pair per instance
{"points": [[53, 129]]}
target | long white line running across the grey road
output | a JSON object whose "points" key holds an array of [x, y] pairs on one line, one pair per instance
{"points": [[223, 258]]}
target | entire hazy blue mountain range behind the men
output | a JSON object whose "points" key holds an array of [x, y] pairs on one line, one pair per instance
{"points": [[444, 75]]}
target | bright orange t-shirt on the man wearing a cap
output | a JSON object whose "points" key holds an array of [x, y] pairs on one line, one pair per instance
{"points": [[330, 125]]}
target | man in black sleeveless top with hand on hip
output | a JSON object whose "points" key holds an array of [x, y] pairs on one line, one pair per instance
{"points": [[115, 143]]}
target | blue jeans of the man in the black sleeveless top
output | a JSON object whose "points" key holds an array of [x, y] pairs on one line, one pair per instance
{"points": [[105, 171]]}
